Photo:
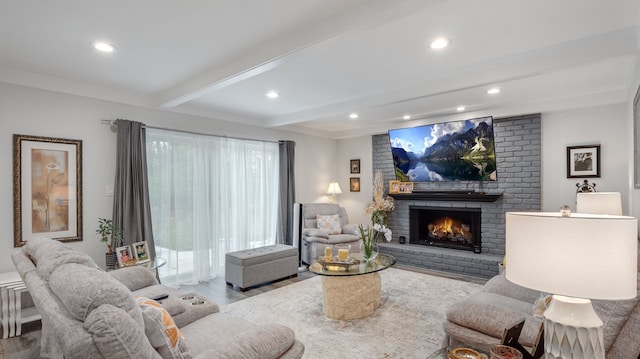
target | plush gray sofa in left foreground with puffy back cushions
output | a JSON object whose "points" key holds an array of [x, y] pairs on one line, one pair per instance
{"points": [[89, 313]]}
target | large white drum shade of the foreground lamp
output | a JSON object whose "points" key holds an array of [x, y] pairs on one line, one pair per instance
{"points": [[584, 255]]}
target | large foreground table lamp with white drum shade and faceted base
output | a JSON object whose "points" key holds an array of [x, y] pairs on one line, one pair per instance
{"points": [[577, 257]]}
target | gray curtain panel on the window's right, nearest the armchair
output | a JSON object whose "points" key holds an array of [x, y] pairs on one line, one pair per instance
{"points": [[287, 193]]}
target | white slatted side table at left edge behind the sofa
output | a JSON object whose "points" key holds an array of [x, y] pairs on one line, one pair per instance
{"points": [[12, 313]]}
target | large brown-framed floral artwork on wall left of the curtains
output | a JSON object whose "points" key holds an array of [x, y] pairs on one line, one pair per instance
{"points": [[47, 188]]}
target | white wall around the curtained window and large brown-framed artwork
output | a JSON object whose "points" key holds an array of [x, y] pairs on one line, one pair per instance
{"points": [[34, 112]]}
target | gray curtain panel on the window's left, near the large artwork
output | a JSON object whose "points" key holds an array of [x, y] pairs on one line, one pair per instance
{"points": [[131, 209]]}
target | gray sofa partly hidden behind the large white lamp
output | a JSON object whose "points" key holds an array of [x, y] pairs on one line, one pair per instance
{"points": [[483, 317]]}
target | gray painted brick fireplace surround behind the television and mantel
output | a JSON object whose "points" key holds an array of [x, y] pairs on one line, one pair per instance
{"points": [[517, 143]]}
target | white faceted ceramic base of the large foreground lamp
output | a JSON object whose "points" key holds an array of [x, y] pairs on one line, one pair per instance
{"points": [[572, 329]]}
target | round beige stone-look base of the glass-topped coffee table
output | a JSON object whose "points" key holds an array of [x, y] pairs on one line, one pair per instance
{"points": [[351, 297]]}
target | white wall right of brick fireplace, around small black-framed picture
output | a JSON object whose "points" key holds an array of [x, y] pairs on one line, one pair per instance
{"points": [[606, 126]]}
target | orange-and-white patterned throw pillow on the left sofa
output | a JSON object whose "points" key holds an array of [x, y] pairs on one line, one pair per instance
{"points": [[161, 330]]}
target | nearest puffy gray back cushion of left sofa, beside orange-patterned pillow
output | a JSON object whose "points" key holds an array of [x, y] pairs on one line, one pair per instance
{"points": [[117, 335]]}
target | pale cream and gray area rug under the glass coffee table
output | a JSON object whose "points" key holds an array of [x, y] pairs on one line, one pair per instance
{"points": [[408, 324]]}
